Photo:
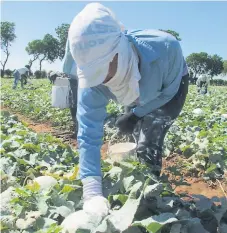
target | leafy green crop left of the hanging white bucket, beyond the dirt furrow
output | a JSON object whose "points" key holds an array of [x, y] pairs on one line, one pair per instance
{"points": [[34, 102]]}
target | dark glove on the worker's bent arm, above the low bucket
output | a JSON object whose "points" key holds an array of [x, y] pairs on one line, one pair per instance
{"points": [[127, 122]]}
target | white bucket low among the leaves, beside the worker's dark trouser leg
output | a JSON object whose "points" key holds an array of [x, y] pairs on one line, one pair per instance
{"points": [[122, 151]]}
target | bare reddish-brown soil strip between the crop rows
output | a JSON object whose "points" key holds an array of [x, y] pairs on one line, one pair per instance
{"points": [[183, 182]]}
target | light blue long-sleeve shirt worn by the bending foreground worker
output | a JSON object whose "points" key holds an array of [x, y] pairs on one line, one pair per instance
{"points": [[161, 67]]}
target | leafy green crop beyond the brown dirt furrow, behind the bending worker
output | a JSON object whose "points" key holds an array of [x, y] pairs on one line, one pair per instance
{"points": [[202, 138]]}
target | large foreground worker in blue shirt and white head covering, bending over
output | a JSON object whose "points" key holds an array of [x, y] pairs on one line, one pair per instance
{"points": [[144, 70]]}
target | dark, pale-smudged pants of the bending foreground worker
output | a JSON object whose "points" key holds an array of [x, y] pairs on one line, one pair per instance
{"points": [[150, 131]]}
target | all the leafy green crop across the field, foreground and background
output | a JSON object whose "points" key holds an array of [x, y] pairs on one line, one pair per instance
{"points": [[151, 205]]}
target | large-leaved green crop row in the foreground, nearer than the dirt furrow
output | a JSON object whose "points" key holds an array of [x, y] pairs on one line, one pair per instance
{"points": [[30, 205]]}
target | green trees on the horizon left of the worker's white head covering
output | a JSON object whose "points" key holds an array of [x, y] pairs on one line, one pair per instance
{"points": [[48, 48]]}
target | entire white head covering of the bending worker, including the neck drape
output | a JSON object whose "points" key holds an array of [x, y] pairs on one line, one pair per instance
{"points": [[95, 37]]}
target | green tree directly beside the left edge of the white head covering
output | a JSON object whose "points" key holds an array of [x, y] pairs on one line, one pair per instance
{"points": [[62, 35]]}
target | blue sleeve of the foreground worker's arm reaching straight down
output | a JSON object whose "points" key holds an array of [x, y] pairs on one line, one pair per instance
{"points": [[91, 113]]}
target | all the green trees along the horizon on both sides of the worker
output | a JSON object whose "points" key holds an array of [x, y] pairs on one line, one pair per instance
{"points": [[50, 49]]}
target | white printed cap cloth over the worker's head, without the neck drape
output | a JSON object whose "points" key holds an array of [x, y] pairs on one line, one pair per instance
{"points": [[93, 35]]}
